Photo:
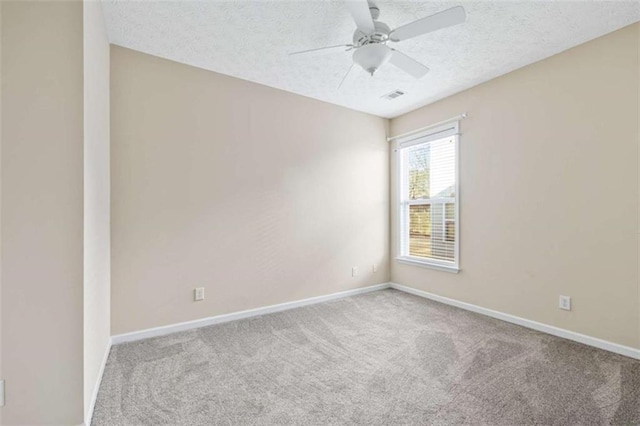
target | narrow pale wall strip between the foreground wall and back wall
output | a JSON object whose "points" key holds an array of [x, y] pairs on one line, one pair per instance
{"points": [[97, 252]]}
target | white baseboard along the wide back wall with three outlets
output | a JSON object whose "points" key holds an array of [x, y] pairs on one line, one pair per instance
{"points": [[183, 326]]}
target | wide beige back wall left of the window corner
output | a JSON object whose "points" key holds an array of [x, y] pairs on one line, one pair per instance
{"points": [[258, 195]]}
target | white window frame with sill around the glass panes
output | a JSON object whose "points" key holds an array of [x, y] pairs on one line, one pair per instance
{"points": [[430, 135]]}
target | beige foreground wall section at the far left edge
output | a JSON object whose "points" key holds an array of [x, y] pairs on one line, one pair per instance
{"points": [[42, 212]]}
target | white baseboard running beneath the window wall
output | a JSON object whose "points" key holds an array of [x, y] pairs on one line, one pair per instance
{"points": [[549, 329]]}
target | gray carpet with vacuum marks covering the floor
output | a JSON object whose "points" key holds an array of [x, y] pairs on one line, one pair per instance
{"points": [[382, 358]]}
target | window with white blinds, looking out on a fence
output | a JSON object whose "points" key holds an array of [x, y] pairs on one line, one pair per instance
{"points": [[428, 209]]}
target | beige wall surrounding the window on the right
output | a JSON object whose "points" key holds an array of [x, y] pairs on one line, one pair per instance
{"points": [[549, 184]]}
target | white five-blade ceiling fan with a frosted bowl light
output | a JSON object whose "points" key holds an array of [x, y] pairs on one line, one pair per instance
{"points": [[371, 39]]}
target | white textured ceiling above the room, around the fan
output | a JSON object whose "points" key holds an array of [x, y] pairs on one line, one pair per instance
{"points": [[251, 39]]}
